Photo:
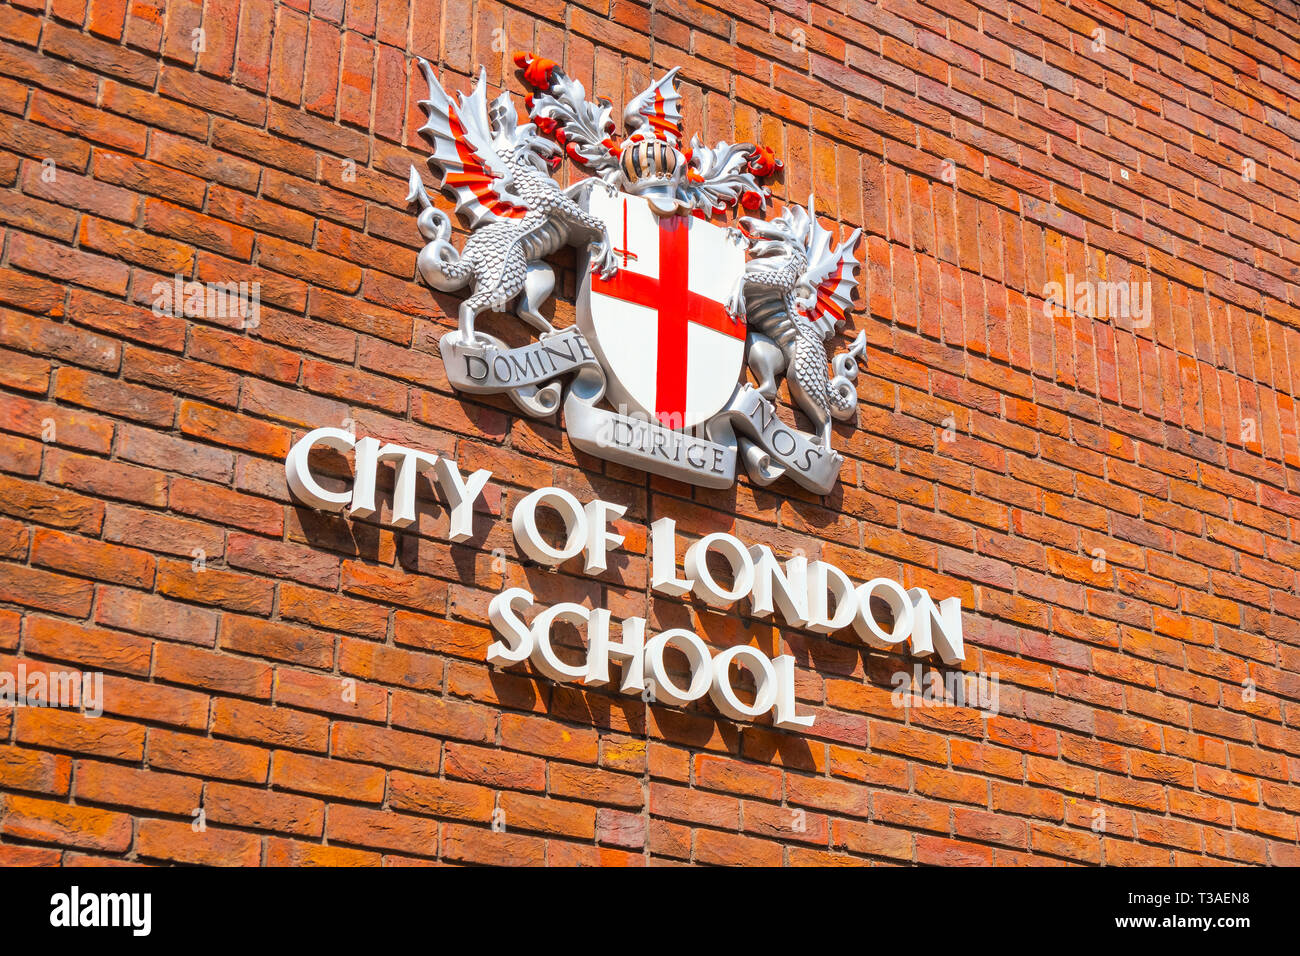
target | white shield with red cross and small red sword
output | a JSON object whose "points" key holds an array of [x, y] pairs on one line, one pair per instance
{"points": [[660, 325]]}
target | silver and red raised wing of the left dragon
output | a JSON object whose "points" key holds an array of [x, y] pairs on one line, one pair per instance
{"points": [[465, 152]]}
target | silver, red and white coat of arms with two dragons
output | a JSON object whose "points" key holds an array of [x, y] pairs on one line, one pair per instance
{"points": [[673, 308]]}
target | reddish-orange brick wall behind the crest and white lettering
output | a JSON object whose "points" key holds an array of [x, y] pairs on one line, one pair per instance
{"points": [[1115, 504]]}
